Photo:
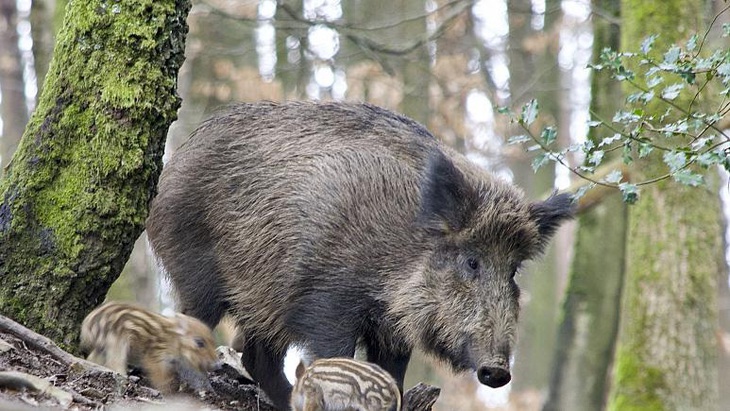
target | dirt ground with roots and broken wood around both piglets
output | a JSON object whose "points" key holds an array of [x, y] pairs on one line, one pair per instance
{"points": [[36, 374]]}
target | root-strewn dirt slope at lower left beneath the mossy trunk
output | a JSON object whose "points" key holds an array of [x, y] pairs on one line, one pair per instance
{"points": [[78, 387]]}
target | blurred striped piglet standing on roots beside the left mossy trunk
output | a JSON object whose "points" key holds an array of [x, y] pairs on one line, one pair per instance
{"points": [[170, 350]]}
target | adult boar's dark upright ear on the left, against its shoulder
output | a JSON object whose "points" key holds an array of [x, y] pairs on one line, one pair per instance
{"points": [[447, 199]]}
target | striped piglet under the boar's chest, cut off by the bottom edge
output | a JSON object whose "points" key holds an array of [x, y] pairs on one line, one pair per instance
{"points": [[344, 384]]}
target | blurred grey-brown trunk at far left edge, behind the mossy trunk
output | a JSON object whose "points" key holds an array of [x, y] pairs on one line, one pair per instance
{"points": [[13, 111]]}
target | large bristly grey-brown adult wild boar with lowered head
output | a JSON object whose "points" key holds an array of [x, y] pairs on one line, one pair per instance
{"points": [[332, 224]]}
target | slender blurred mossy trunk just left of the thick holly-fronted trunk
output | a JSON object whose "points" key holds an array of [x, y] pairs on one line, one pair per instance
{"points": [[589, 320]]}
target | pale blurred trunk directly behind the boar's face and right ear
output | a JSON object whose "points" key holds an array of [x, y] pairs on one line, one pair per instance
{"points": [[538, 321]]}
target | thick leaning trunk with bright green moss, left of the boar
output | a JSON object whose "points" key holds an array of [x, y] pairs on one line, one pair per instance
{"points": [[76, 194]]}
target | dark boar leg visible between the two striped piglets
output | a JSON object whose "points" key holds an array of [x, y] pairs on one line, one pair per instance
{"points": [[267, 368]]}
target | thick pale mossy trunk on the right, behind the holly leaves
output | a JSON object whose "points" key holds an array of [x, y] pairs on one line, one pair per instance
{"points": [[666, 353]]}
